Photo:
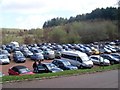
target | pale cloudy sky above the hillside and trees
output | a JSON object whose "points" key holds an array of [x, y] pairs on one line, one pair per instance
{"points": [[29, 14]]}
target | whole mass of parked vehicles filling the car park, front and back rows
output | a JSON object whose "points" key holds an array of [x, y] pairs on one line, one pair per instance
{"points": [[69, 56]]}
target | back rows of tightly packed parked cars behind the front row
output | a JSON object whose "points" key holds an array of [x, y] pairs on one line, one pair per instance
{"points": [[43, 51]]}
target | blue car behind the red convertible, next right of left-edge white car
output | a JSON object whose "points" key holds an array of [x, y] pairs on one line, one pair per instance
{"points": [[19, 57]]}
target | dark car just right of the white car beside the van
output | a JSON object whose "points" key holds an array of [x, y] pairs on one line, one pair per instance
{"points": [[112, 59]]}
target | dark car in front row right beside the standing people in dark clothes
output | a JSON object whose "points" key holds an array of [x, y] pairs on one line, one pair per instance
{"points": [[50, 67]]}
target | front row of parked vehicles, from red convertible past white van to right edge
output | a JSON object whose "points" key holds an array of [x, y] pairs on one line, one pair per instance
{"points": [[70, 60]]}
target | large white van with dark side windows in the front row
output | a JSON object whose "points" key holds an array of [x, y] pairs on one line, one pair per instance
{"points": [[76, 58]]}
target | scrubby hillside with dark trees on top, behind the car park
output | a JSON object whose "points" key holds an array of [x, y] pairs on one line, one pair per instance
{"points": [[99, 25]]}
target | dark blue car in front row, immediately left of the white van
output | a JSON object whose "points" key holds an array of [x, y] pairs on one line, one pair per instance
{"points": [[64, 64]]}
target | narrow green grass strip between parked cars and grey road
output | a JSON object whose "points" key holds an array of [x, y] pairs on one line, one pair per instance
{"points": [[64, 73]]}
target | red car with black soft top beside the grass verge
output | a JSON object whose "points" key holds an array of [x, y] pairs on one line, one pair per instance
{"points": [[19, 70]]}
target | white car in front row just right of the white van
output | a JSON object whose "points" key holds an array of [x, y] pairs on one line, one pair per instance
{"points": [[98, 60]]}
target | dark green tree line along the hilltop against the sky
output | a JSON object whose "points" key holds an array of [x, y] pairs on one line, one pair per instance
{"points": [[109, 13]]}
